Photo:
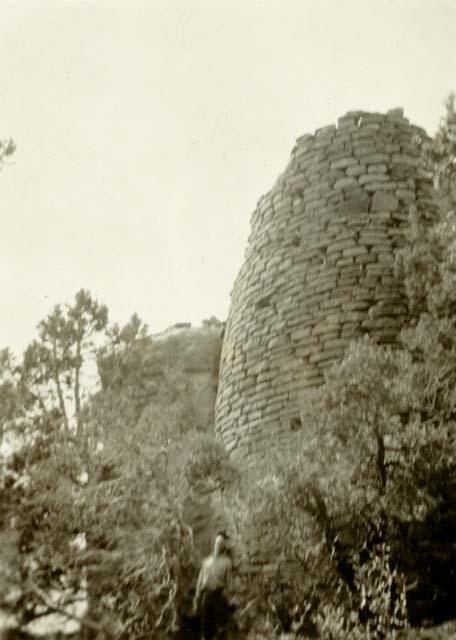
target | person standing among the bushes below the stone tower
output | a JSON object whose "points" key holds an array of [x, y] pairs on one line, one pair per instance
{"points": [[213, 590]]}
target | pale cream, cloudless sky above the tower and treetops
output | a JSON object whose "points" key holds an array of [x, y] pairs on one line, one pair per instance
{"points": [[146, 133]]}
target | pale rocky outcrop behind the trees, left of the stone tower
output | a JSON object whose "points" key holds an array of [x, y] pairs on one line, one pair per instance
{"points": [[177, 367]]}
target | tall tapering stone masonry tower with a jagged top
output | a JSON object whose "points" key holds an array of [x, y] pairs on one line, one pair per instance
{"points": [[318, 272]]}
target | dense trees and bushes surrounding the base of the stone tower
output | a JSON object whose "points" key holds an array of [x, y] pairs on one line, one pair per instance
{"points": [[360, 513]]}
